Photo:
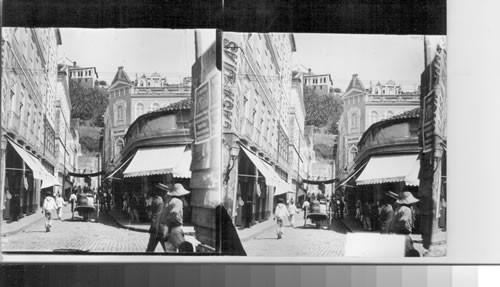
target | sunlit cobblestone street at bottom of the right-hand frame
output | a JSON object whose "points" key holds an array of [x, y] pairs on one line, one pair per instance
{"points": [[299, 241]]}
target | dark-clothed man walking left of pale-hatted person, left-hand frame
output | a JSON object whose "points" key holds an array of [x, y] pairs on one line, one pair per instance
{"points": [[157, 233]]}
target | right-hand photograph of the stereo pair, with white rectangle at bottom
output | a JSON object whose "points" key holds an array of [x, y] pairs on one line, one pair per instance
{"points": [[335, 144]]}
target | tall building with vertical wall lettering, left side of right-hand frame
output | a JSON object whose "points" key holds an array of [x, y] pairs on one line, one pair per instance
{"points": [[257, 90]]}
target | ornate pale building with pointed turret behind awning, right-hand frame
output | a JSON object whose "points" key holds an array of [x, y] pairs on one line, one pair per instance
{"points": [[362, 108]]}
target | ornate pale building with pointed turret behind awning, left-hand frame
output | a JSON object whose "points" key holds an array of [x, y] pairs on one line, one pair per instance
{"points": [[130, 99]]}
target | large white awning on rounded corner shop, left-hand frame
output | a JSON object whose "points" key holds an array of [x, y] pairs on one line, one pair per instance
{"points": [[158, 160]]}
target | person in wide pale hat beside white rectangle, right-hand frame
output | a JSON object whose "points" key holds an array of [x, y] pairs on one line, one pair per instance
{"points": [[403, 219]]}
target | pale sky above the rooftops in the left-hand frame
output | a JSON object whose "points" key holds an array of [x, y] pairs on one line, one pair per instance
{"points": [[168, 52]]}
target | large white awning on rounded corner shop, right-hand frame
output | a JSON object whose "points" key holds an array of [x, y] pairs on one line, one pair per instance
{"points": [[395, 168]]}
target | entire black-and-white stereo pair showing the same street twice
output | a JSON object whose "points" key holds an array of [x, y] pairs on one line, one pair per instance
{"points": [[197, 142]]}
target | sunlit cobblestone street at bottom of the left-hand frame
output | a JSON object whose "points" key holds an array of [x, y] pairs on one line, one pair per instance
{"points": [[102, 236]]}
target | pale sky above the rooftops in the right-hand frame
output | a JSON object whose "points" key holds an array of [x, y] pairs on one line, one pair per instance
{"points": [[373, 57]]}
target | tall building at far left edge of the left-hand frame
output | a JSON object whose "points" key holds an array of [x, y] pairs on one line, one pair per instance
{"points": [[29, 78]]}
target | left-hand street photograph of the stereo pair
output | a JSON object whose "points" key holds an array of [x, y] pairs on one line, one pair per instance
{"points": [[110, 142]]}
